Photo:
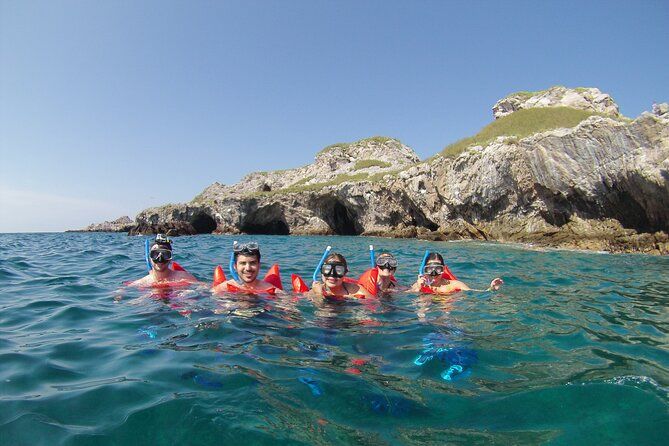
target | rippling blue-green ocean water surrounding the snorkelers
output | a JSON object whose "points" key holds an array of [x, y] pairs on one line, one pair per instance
{"points": [[573, 349]]}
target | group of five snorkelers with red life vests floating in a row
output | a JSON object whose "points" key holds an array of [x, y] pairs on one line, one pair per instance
{"points": [[434, 276]]}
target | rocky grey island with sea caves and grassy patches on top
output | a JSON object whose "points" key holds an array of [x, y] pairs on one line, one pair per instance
{"points": [[560, 167]]}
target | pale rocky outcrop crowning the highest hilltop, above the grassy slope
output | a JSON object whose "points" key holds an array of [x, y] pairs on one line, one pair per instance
{"points": [[590, 99]]}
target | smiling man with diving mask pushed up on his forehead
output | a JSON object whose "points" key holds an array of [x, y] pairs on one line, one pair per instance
{"points": [[247, 266]]}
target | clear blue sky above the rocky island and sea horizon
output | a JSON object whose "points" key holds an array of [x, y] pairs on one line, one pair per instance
{"points": [[110, 107]]}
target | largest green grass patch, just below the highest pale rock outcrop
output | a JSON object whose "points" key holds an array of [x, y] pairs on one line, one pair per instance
{"points": [[521, 124]]}
